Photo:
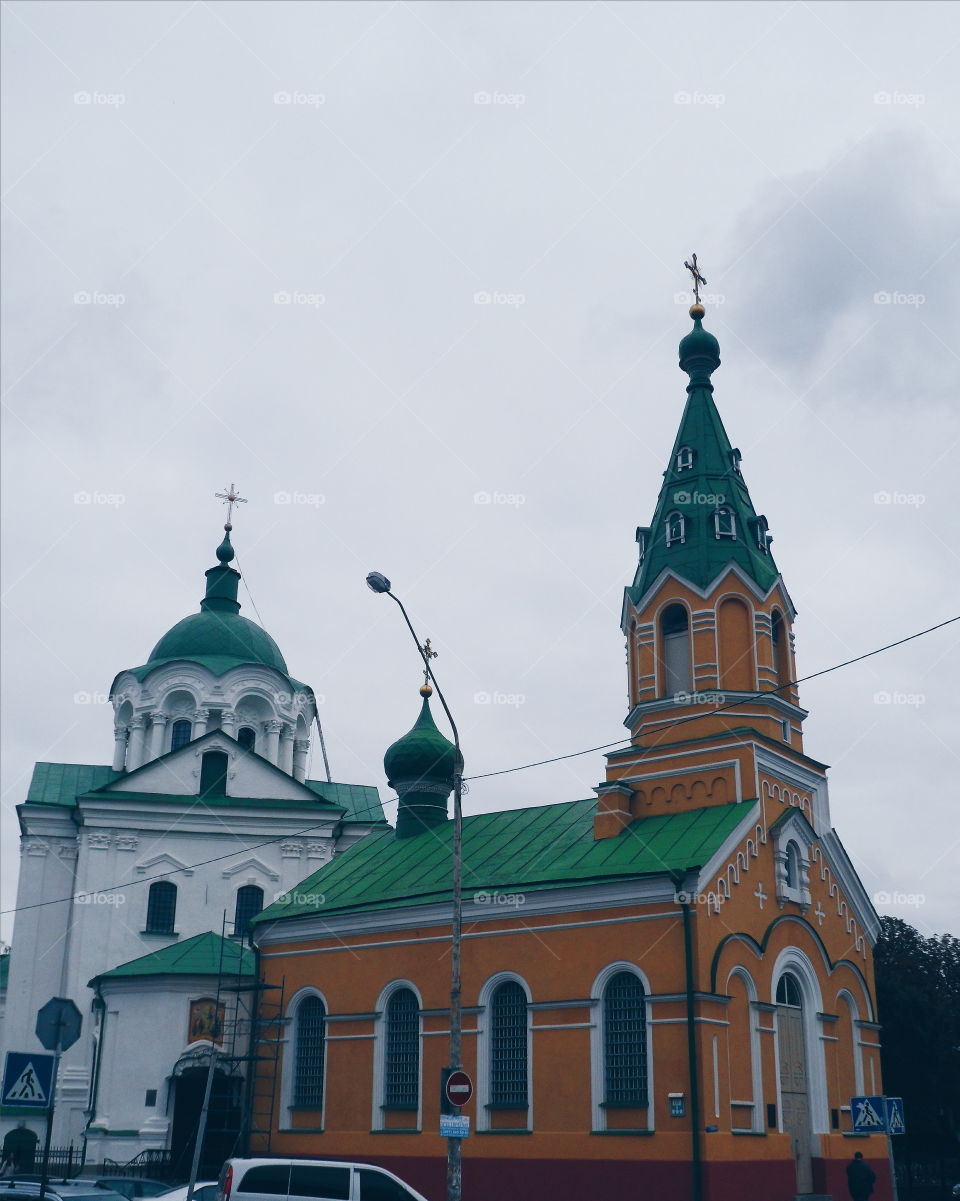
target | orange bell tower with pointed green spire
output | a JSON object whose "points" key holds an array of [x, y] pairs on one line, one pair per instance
{"points": [[709, 628]]}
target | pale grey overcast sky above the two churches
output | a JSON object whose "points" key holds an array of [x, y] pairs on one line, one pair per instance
{"points": [[253, 242]]}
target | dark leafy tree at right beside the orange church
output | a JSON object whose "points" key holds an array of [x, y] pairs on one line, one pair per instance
{"points": [[919, 999]]}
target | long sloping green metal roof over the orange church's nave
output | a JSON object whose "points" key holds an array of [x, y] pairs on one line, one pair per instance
{"points": [[517, 851]]}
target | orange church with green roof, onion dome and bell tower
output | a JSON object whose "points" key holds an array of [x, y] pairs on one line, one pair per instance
{"points": [[669, 989]]}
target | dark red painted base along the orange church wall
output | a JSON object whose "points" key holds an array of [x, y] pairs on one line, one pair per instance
{"points": [[579, 1180]]}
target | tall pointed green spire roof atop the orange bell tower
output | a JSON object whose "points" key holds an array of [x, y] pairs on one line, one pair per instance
{"points": [[713, 481]]}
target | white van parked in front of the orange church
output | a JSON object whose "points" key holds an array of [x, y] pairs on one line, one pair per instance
{"points": [[311, 1180]]}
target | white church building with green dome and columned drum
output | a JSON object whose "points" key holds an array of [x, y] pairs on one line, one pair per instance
{"points": [[132, 873]]}
